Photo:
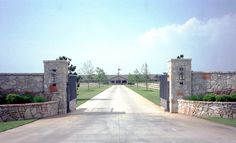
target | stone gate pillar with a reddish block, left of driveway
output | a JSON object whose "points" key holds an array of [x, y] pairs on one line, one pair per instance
{"points": [[55, 82]]}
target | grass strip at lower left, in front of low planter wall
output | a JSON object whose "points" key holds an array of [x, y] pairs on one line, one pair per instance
{"points": [[13, 124]]}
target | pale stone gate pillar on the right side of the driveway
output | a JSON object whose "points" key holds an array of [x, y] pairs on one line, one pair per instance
{"points": [[179, 81]]}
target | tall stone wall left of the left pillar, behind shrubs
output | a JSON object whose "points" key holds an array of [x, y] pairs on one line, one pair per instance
{"points": [[22, 82]]}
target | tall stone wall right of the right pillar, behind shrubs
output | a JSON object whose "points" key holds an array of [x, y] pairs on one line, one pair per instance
{"points": [[203, 82]]}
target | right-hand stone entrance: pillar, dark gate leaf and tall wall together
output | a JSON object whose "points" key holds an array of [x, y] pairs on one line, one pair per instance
{"points": [[181, 81]]}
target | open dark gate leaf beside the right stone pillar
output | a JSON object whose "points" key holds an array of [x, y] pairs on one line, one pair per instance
{"points": [[164, 92]]}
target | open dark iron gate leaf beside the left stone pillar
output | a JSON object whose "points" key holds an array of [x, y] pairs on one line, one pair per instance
{"points": [[71, 90]]}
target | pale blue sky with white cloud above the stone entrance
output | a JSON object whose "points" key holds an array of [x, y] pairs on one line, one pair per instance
{"points": [[116, 34]]}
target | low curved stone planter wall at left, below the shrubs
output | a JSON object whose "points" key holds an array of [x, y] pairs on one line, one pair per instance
{"points": [[28, 111]]}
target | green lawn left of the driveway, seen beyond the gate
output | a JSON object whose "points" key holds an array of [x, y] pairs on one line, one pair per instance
{"points": [[84, 94]]}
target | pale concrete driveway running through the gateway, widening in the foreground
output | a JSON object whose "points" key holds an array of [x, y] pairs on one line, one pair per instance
{"points": [[118, 115]]}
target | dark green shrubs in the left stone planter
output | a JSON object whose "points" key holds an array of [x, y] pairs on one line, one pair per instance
{"points": [[20, 99]]}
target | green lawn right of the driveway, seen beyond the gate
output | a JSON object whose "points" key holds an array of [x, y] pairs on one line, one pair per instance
{"points": [[152, 95]]}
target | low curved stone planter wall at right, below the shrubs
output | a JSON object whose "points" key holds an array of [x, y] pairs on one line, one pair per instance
{"points": [[207, 109]]}
